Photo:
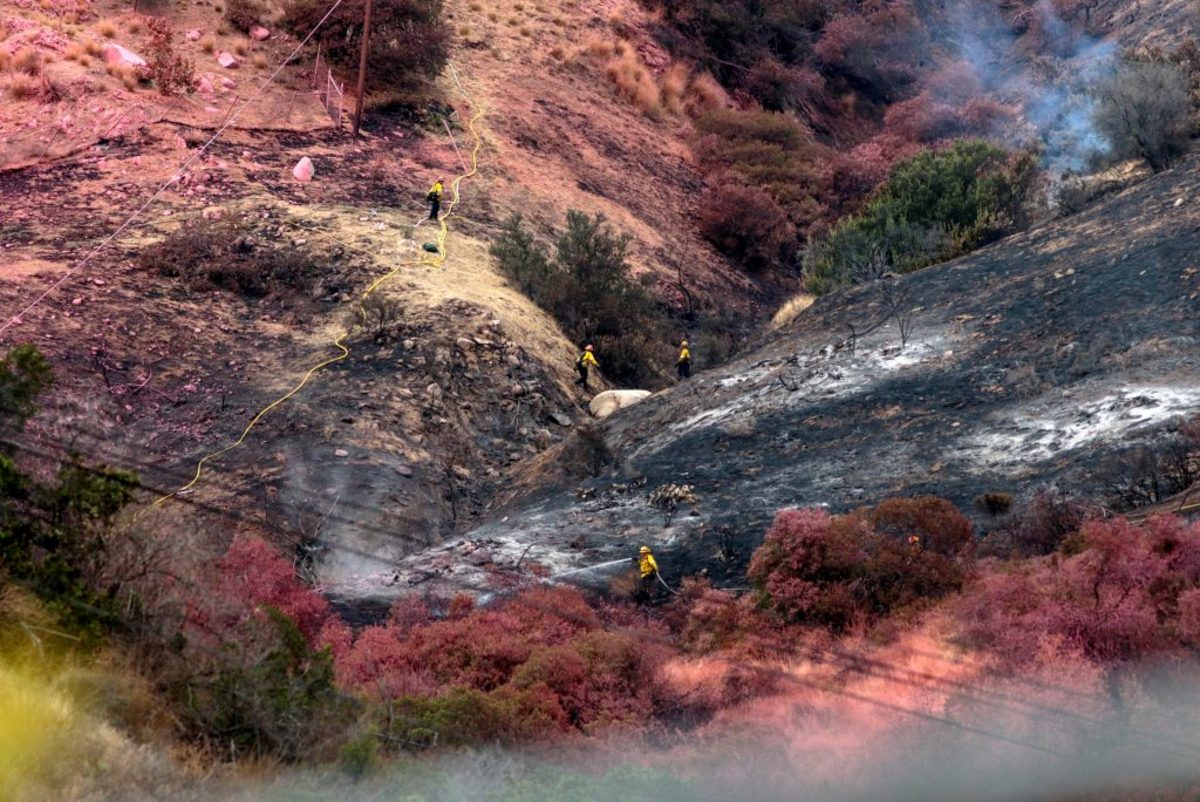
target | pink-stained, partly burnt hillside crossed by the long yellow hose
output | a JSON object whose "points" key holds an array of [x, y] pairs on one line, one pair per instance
{"points": [[409, 439]]}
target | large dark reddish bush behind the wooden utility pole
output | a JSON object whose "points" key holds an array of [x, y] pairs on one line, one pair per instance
{"points": [[410, 44]]}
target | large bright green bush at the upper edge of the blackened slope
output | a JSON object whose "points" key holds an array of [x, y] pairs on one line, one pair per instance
{"points": [[934, 207]]}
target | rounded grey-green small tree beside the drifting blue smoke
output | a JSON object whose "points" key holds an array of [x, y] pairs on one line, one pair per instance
{"points": [[1145, 111]]}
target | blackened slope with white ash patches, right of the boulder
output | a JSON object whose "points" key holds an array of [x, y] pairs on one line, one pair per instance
{"points": [[1027, 363]]}
